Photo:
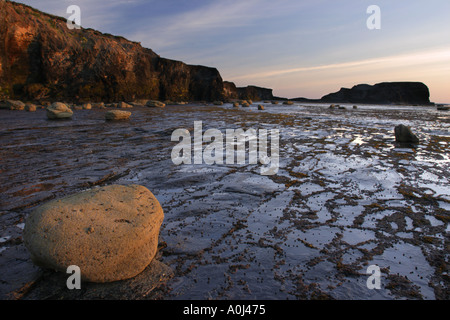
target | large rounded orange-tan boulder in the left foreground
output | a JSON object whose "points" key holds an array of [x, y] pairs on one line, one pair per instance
{"points": [[111, 233]]}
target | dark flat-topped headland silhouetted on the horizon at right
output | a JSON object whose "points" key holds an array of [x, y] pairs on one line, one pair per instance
{"points": [[386, 92]]}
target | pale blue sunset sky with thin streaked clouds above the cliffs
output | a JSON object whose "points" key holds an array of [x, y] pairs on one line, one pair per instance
{"points": [[298, 48]]}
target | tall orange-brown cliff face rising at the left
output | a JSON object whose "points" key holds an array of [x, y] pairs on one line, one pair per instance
{"points": [[40, 58]]}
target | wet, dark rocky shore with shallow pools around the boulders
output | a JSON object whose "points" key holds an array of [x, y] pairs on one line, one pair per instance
{"points": [[346, 197]]}
